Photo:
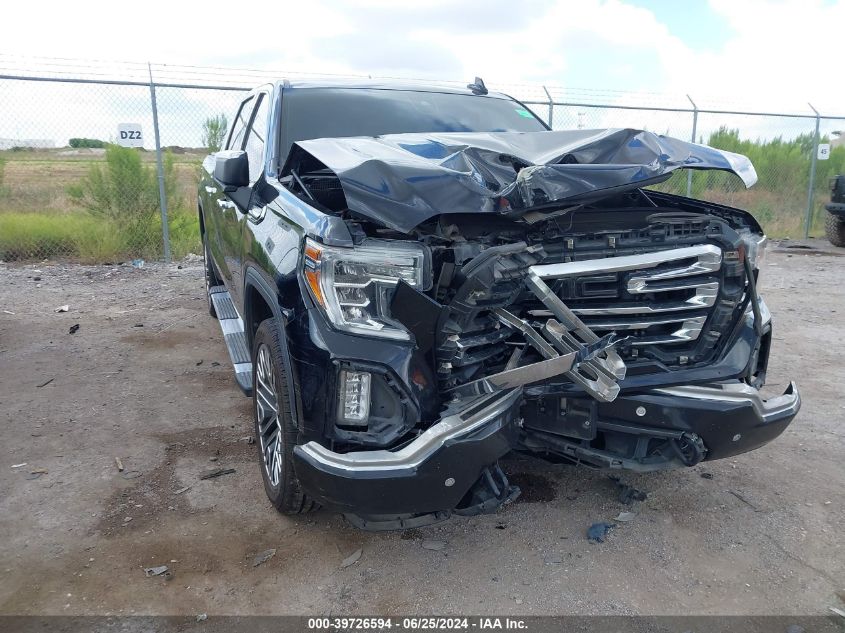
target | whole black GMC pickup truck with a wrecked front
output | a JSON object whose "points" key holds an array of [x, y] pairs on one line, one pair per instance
{"points": [[414, 281]]}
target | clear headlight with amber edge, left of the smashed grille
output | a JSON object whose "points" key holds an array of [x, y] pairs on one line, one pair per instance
{"points": [[354, 286]]}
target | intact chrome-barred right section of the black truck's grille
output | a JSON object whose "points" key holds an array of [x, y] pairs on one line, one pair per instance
{"points": [[663, 297]]}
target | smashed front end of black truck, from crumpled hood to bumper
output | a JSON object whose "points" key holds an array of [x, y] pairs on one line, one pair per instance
{"points": [[570, 313]]}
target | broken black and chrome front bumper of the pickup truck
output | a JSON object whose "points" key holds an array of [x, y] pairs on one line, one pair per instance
{"points": [[436, 471]]}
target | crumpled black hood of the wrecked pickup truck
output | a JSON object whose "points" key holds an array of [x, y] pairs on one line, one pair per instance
{"points": [[401, 180]]}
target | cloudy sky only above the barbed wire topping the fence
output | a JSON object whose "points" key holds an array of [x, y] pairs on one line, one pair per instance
{"points": [[772, 53]]}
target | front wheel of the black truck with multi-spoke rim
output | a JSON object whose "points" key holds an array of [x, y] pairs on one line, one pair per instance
{"points": [[274, 430]]}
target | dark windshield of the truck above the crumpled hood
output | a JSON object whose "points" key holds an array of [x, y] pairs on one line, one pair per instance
{"points": [[309, 113]]}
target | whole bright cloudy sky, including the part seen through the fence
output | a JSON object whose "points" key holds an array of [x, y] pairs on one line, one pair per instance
{"points": [[761, 55]]}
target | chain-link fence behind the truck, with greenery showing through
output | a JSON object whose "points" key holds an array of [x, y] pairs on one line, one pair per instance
{"points": [[69, 190]]}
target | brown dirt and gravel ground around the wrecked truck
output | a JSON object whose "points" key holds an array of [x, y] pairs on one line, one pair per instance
{"points": [[146, 379]]}
